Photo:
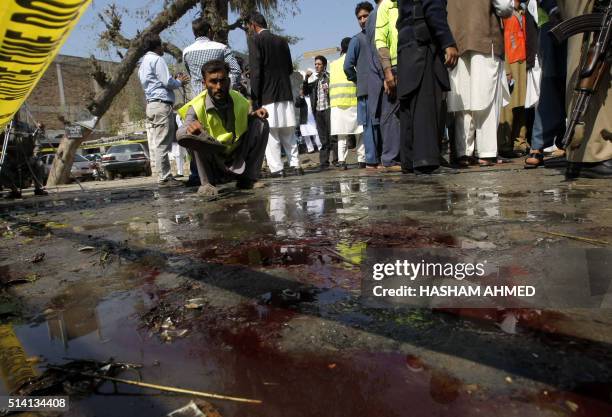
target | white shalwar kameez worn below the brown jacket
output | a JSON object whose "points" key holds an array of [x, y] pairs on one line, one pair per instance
{"points": [[479, 90]]}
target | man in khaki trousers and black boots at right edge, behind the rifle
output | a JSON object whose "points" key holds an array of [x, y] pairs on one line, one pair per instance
{"points": [[590, 153]]}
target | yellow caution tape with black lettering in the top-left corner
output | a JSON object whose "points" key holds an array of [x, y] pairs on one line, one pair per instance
{"points": [[31, 34]]}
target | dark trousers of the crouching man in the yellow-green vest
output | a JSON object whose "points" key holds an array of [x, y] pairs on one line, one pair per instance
{"points": [[250, 151]]}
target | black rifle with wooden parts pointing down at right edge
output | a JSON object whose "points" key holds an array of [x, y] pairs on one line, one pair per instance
{"points": [[593, 68]]}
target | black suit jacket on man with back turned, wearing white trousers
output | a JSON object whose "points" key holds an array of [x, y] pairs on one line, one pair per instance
{"points": [[271, 67]]}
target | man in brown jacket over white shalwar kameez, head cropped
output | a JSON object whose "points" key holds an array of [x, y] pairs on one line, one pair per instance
{"points": [[479, 88]]}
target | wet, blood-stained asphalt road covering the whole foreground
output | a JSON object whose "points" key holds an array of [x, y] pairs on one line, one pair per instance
{"points": [[123, 257]]}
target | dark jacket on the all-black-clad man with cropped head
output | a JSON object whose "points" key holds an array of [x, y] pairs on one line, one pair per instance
{"points": [[412, 54]]}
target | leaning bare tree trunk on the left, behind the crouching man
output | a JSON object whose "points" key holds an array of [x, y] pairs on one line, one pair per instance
{"points": [[60, 170]]}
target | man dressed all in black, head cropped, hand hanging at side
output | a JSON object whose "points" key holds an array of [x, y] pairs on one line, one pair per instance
{"points": [[426, 48]]}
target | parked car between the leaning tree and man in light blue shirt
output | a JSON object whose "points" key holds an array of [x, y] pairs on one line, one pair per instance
{"points": [[126, 159]]}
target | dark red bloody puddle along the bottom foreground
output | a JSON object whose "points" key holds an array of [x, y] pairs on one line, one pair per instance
{"points": [[234, 355]]}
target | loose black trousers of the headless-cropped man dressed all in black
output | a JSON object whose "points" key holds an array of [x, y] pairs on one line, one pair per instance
{"points": [[422, 120]]}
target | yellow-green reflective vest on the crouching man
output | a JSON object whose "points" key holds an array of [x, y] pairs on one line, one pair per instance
{"points": [[213, 124]]}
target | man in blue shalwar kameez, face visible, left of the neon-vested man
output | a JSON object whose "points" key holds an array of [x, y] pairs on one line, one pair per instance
{"points": [[356, 68]]}
